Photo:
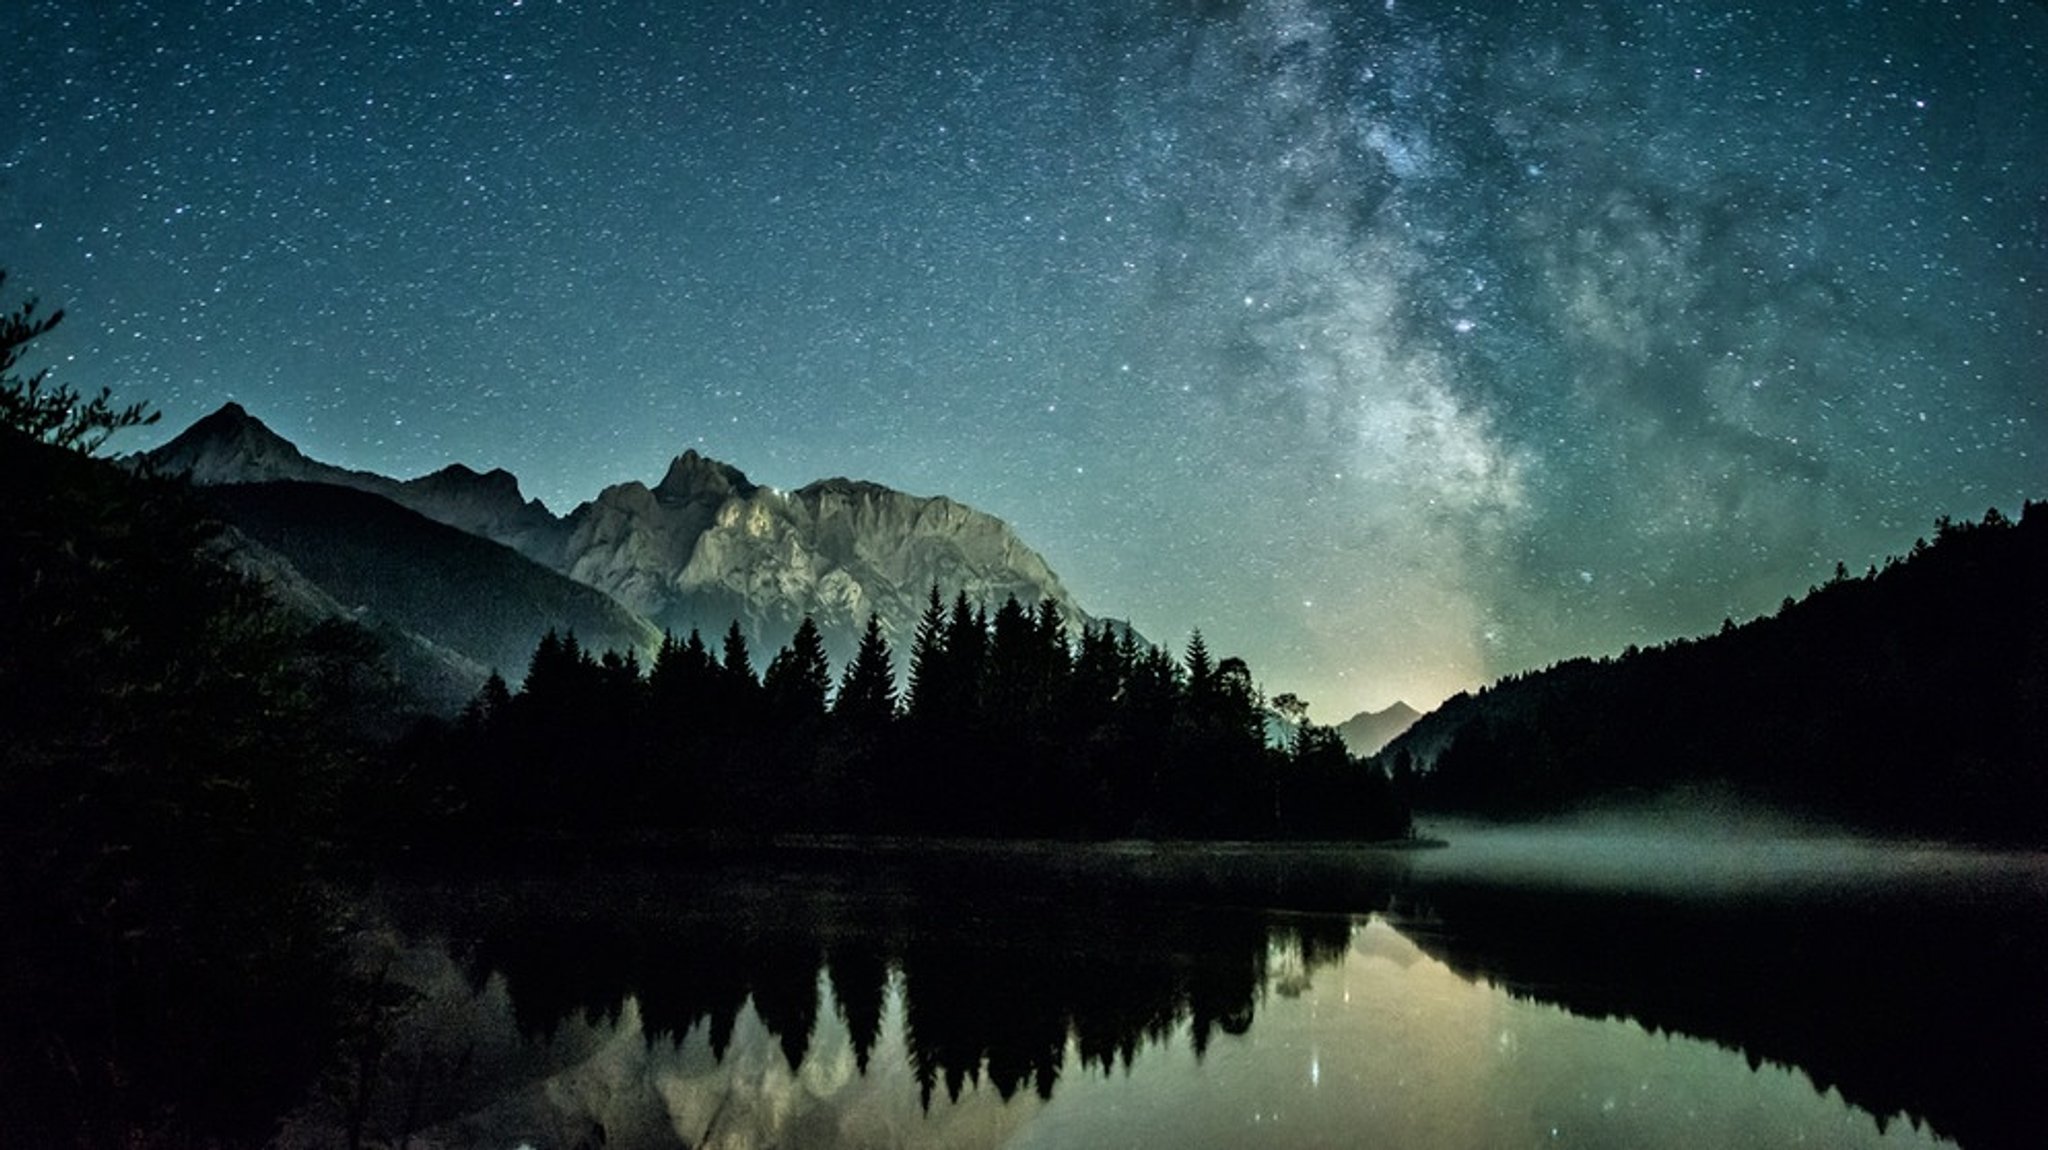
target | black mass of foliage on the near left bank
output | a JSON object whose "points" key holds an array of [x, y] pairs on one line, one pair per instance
{"points": [[173, 760]]}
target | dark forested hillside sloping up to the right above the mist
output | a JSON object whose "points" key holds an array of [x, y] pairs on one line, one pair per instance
{"points": [[1910, 699]]}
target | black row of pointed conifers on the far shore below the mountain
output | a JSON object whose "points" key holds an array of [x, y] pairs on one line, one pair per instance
{"points": [[1007, 727]]}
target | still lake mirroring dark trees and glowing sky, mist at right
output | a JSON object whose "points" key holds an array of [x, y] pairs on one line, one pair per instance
{"points": [[1584, 987]]}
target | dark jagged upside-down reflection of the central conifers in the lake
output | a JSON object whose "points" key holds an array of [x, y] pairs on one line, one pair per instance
{"points": [[992, 989]]}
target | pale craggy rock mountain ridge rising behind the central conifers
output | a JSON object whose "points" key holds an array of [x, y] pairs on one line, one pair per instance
{"points": [[701, 547]]}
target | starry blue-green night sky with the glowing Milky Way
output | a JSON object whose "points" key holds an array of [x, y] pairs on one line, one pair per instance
{"points": [[1398, 345]]}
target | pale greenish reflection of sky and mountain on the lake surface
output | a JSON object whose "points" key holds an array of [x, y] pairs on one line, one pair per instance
{"points": [[1385, 1047]]}
